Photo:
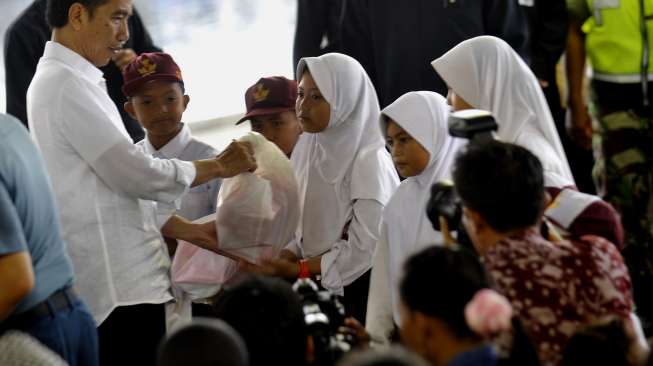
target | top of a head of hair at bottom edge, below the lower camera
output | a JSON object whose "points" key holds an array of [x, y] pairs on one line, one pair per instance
{"points": [[394, 356]]}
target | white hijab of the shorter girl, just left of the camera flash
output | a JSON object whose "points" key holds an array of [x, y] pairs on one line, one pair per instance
{"points": [[424, 116]]}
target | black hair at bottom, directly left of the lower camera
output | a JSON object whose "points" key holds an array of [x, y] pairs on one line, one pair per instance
{"points": [[268, 315]]}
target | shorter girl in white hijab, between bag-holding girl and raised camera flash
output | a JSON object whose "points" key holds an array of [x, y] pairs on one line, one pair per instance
{"points": [[415, 126]]}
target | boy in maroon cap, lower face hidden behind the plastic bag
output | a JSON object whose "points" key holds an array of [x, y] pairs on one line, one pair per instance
{"points": [[271, 111]]}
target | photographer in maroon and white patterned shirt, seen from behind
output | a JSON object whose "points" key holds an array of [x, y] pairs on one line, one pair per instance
{"points": [[554, 287]]}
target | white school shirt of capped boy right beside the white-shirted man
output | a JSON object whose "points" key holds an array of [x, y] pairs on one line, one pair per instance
{"points": [[200, 200]]}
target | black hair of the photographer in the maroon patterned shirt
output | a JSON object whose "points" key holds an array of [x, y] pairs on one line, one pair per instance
{"points": [[503, 182]]}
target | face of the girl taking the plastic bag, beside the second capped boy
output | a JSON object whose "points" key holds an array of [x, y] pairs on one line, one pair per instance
{"points": [[313, 111]]}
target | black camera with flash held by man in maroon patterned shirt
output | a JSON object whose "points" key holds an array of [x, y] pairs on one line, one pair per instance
{"points": [[477, 126]]}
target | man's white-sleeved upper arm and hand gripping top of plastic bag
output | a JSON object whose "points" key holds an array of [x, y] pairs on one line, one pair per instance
{"points": [[122, 165]]}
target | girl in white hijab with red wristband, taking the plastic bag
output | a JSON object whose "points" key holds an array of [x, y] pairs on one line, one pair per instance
{"points": [[345, 177]]}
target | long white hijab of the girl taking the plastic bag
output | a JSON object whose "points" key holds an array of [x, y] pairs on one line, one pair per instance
{"points": [[345, 162]]}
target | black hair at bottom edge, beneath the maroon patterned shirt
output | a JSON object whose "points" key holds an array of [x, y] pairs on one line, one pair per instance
{"points": [[603, 344]]}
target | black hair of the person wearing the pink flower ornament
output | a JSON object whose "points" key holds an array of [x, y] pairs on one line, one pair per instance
{"points": [[438, 282]]}
